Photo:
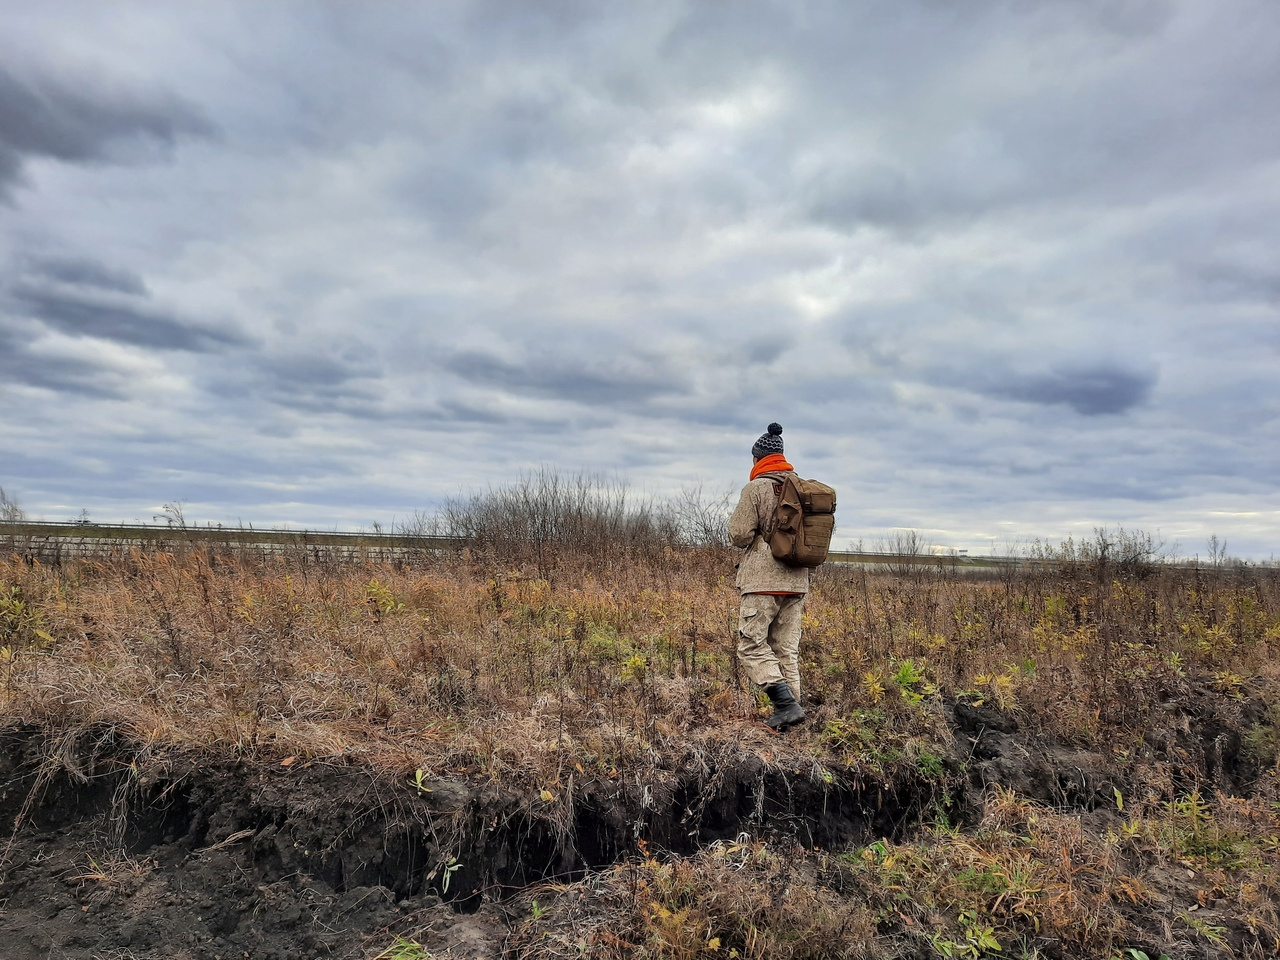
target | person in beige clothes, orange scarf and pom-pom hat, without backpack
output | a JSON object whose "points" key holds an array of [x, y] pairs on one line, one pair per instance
{"points": [[772, 605]]}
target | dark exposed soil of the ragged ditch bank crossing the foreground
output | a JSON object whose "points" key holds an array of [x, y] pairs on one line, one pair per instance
{"points": [[117, 856]]}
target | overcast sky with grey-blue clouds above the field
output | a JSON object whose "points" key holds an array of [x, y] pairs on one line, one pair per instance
{"points": [[1000, 269]]}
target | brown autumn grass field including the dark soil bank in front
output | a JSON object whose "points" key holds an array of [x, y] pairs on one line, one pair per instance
{"points": [[495, 753]]}
